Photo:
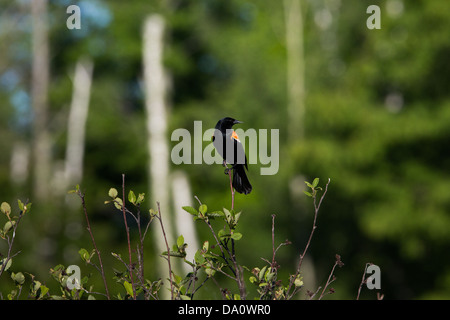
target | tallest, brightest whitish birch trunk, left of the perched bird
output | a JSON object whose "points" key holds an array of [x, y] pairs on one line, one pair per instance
{"points": [[158, 148]]}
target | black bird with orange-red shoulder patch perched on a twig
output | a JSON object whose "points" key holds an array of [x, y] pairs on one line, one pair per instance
{"points": [[227, 143]]}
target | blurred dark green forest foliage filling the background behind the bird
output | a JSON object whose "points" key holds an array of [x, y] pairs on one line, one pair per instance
{"points": [[376, 123]]}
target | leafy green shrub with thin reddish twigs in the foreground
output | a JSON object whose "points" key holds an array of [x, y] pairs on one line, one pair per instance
{"points": [[212, 259]]}
